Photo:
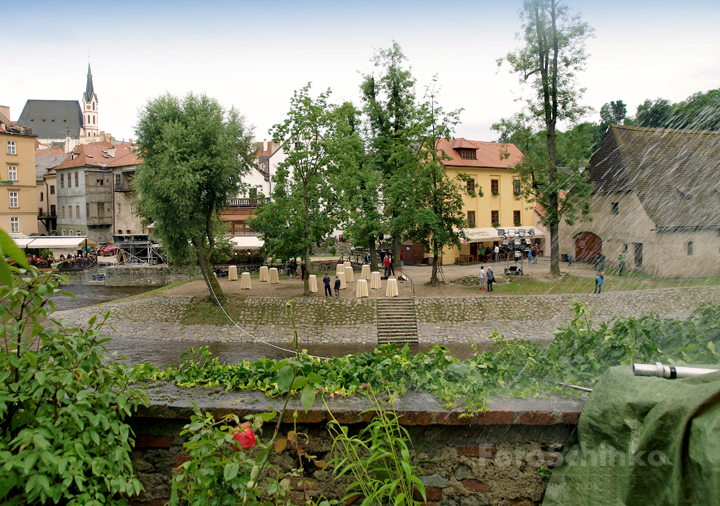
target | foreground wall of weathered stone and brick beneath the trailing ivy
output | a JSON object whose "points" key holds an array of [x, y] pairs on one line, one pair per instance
{"points": [[497, 457]]}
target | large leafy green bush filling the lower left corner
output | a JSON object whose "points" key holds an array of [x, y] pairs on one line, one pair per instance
{"points": [[63, 401]]}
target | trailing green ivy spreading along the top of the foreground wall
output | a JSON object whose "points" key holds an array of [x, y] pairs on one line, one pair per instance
{"points": [[578, 355]]}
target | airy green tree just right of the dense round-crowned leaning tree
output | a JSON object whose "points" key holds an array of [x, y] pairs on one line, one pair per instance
{"points": [[303, 198]]}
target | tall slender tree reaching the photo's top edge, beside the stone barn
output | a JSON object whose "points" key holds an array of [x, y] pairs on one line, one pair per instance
{"points": [[552, 54]]}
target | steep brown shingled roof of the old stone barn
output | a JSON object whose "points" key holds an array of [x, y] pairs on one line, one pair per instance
{"points": [[675, 173]]}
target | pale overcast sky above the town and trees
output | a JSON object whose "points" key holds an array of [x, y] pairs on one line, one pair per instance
{"points": [[252, 55]]}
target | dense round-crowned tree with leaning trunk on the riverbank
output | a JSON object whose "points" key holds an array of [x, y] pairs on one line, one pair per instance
{"points": [[194, 154]]}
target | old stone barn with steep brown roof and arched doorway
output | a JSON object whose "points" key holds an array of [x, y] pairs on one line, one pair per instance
{"points": [[656, 199]]}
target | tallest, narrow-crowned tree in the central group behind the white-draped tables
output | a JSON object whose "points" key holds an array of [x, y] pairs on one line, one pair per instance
{"points": [[391, 131]]}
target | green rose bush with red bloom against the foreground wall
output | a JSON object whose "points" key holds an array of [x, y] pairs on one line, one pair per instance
{"points": [[220, 471]]}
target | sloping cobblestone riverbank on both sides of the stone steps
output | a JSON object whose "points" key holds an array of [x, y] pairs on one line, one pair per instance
{"points": [[441, 320]]}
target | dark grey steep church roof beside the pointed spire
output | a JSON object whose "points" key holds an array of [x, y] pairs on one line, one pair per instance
{"points": [[50, 119]]}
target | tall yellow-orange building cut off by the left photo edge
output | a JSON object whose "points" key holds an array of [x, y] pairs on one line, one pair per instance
{"points": [[18, 202]]}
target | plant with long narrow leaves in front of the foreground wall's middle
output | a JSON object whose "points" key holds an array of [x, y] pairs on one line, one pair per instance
{"points": [[378, 459]]}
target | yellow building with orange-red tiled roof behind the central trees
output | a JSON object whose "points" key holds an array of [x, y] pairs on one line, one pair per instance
{"points": [[500, 209]]}
